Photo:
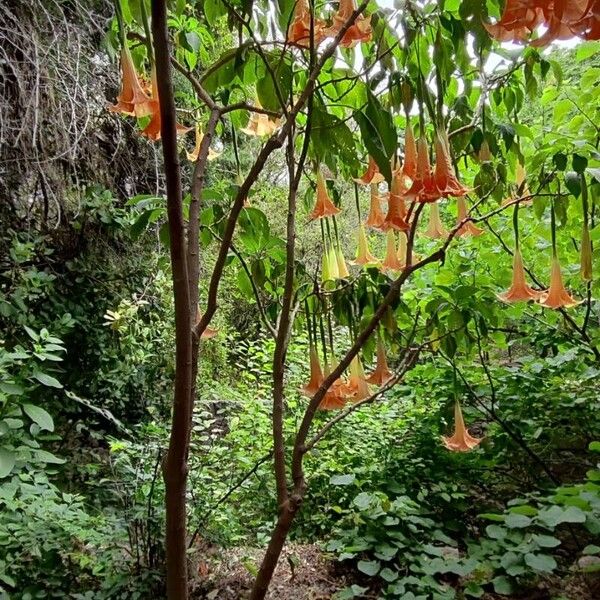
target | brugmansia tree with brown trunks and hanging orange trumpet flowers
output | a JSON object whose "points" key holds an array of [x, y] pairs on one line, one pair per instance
{"points": [[398, 107]]}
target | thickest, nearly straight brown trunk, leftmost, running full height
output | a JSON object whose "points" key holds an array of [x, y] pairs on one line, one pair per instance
{"points": [[175, 464]]}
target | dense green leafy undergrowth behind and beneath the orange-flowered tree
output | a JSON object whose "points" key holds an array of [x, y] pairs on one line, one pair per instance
{"points": [[86, 373]]}
